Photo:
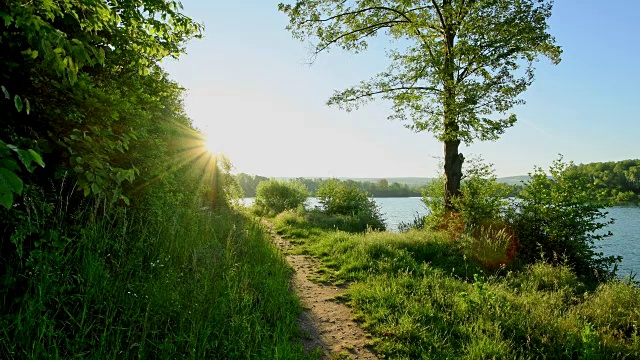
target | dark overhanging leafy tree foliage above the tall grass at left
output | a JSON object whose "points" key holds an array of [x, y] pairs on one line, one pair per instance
{"points": [[89, 70]]}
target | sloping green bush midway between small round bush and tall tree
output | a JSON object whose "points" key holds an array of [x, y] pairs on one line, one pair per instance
{"points": [[351, 205]]}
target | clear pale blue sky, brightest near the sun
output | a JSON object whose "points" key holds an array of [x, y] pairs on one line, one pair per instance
{"points": [[251, 89]]}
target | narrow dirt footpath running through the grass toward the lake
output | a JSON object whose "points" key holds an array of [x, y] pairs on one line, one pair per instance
{"points": [[326, 324]]}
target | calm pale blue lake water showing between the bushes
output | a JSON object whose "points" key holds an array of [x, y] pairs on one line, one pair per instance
{"points": [[624, 242]]}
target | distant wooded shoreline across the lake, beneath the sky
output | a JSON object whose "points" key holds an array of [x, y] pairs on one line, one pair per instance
{"points": [[617, 182]]}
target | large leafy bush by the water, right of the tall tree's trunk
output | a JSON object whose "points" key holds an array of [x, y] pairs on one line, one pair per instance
{"points": [[557, 219]]}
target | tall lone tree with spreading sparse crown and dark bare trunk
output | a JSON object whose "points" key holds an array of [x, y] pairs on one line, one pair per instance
{"points": [[457, 67]]}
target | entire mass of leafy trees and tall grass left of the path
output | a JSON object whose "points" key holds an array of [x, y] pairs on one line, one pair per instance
{"points": [[107, 252]]}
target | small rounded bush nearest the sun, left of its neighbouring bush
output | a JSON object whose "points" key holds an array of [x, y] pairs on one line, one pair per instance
{"points": [[277, 196]]}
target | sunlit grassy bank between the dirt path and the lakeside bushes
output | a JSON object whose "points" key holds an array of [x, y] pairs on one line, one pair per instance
{"points": [[422, 295]]}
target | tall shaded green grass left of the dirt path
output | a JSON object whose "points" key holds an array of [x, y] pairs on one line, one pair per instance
{"points": [[190, 285]]}
